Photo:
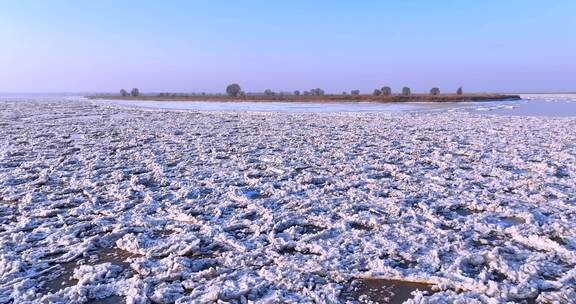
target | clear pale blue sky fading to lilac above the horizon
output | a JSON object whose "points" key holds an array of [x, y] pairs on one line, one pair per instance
{"points": [[201, 46]]}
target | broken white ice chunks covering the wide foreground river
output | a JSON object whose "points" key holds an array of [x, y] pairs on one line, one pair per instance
{"points": [[196, 207]]}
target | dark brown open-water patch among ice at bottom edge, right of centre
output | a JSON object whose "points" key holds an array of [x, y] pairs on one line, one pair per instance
{"points": [[382, 291]]}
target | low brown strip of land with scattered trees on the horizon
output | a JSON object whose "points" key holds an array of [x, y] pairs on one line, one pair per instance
{"points": [[320, 99]]}
